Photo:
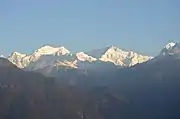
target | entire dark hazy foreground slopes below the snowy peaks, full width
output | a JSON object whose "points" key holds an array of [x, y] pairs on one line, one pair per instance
{"points": [[146, 91]]}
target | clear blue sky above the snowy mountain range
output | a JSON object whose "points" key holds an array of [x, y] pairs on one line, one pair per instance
{"points": [[82, 25]]}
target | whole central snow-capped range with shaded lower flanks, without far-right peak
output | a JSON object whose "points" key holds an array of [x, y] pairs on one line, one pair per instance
{"points": [[50, 59]]}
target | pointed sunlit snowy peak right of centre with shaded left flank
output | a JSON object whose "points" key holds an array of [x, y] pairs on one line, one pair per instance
{"points": [[118, 56]]}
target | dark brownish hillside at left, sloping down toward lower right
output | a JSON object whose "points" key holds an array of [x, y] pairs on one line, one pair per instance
{"points": [[27, 95]]}
